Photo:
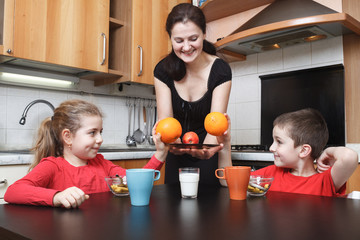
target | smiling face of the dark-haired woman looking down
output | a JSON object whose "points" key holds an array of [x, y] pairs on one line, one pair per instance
{"points": [[187, 41]]}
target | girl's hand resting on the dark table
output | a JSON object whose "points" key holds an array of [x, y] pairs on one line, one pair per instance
{"points": [[71, 197]]}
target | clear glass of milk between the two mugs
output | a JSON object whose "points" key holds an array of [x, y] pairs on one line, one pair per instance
{"points": [[189, 181]]}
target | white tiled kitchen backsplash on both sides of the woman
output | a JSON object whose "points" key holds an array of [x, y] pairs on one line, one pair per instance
{"points": [[244, 105]]}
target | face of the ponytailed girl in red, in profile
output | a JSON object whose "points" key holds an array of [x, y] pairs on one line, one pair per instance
{"points": [[87, 140]]}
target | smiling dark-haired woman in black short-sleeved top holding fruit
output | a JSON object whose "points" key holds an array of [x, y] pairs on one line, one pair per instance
{"points": [[196, 82]]}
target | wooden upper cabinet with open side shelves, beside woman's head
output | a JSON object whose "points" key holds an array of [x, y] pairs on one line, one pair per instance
{"points": [[138, 39]]}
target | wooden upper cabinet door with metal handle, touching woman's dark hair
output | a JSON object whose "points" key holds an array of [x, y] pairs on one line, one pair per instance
{"points": [[150, 39]]}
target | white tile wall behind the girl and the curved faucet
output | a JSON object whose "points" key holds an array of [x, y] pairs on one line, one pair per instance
{"points": [[14, 99]]}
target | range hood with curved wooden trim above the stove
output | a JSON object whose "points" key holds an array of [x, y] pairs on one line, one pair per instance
{"points": [[285, 23]]}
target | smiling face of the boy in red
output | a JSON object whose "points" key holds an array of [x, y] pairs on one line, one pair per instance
{"points": [[285, 154]]}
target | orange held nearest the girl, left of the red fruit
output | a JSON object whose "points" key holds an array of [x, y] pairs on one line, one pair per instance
{"points": [[170, 129]]}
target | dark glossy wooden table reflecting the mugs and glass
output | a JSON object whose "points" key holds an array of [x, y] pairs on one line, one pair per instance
{"points": [[211, 216]]}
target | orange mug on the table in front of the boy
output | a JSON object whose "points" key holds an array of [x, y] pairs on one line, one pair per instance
{"points": [[237, 179]]}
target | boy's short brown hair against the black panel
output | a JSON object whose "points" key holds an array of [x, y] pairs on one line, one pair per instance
{"points": [[306, 126]]}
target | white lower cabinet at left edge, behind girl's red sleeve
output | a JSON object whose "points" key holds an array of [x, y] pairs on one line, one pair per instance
{"points": [[8, 175]]}
